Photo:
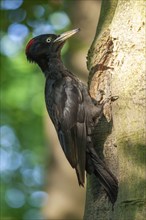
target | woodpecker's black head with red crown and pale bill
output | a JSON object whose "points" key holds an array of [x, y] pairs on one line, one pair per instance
{"points": [[46, 46]]}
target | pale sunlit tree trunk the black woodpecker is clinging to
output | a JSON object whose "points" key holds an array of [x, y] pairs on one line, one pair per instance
{"points": [[116, 62]]}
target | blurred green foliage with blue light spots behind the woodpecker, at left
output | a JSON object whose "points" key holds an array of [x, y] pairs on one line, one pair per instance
{"points": [[22, 107]]}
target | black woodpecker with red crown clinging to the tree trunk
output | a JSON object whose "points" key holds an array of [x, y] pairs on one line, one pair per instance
{"points": [[71, 110]]}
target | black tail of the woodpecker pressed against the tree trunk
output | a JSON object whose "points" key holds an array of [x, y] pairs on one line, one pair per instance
{"points": [[106, 178]]}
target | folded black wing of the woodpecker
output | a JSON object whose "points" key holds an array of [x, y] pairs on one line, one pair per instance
{"points": [[71, 123]]}
